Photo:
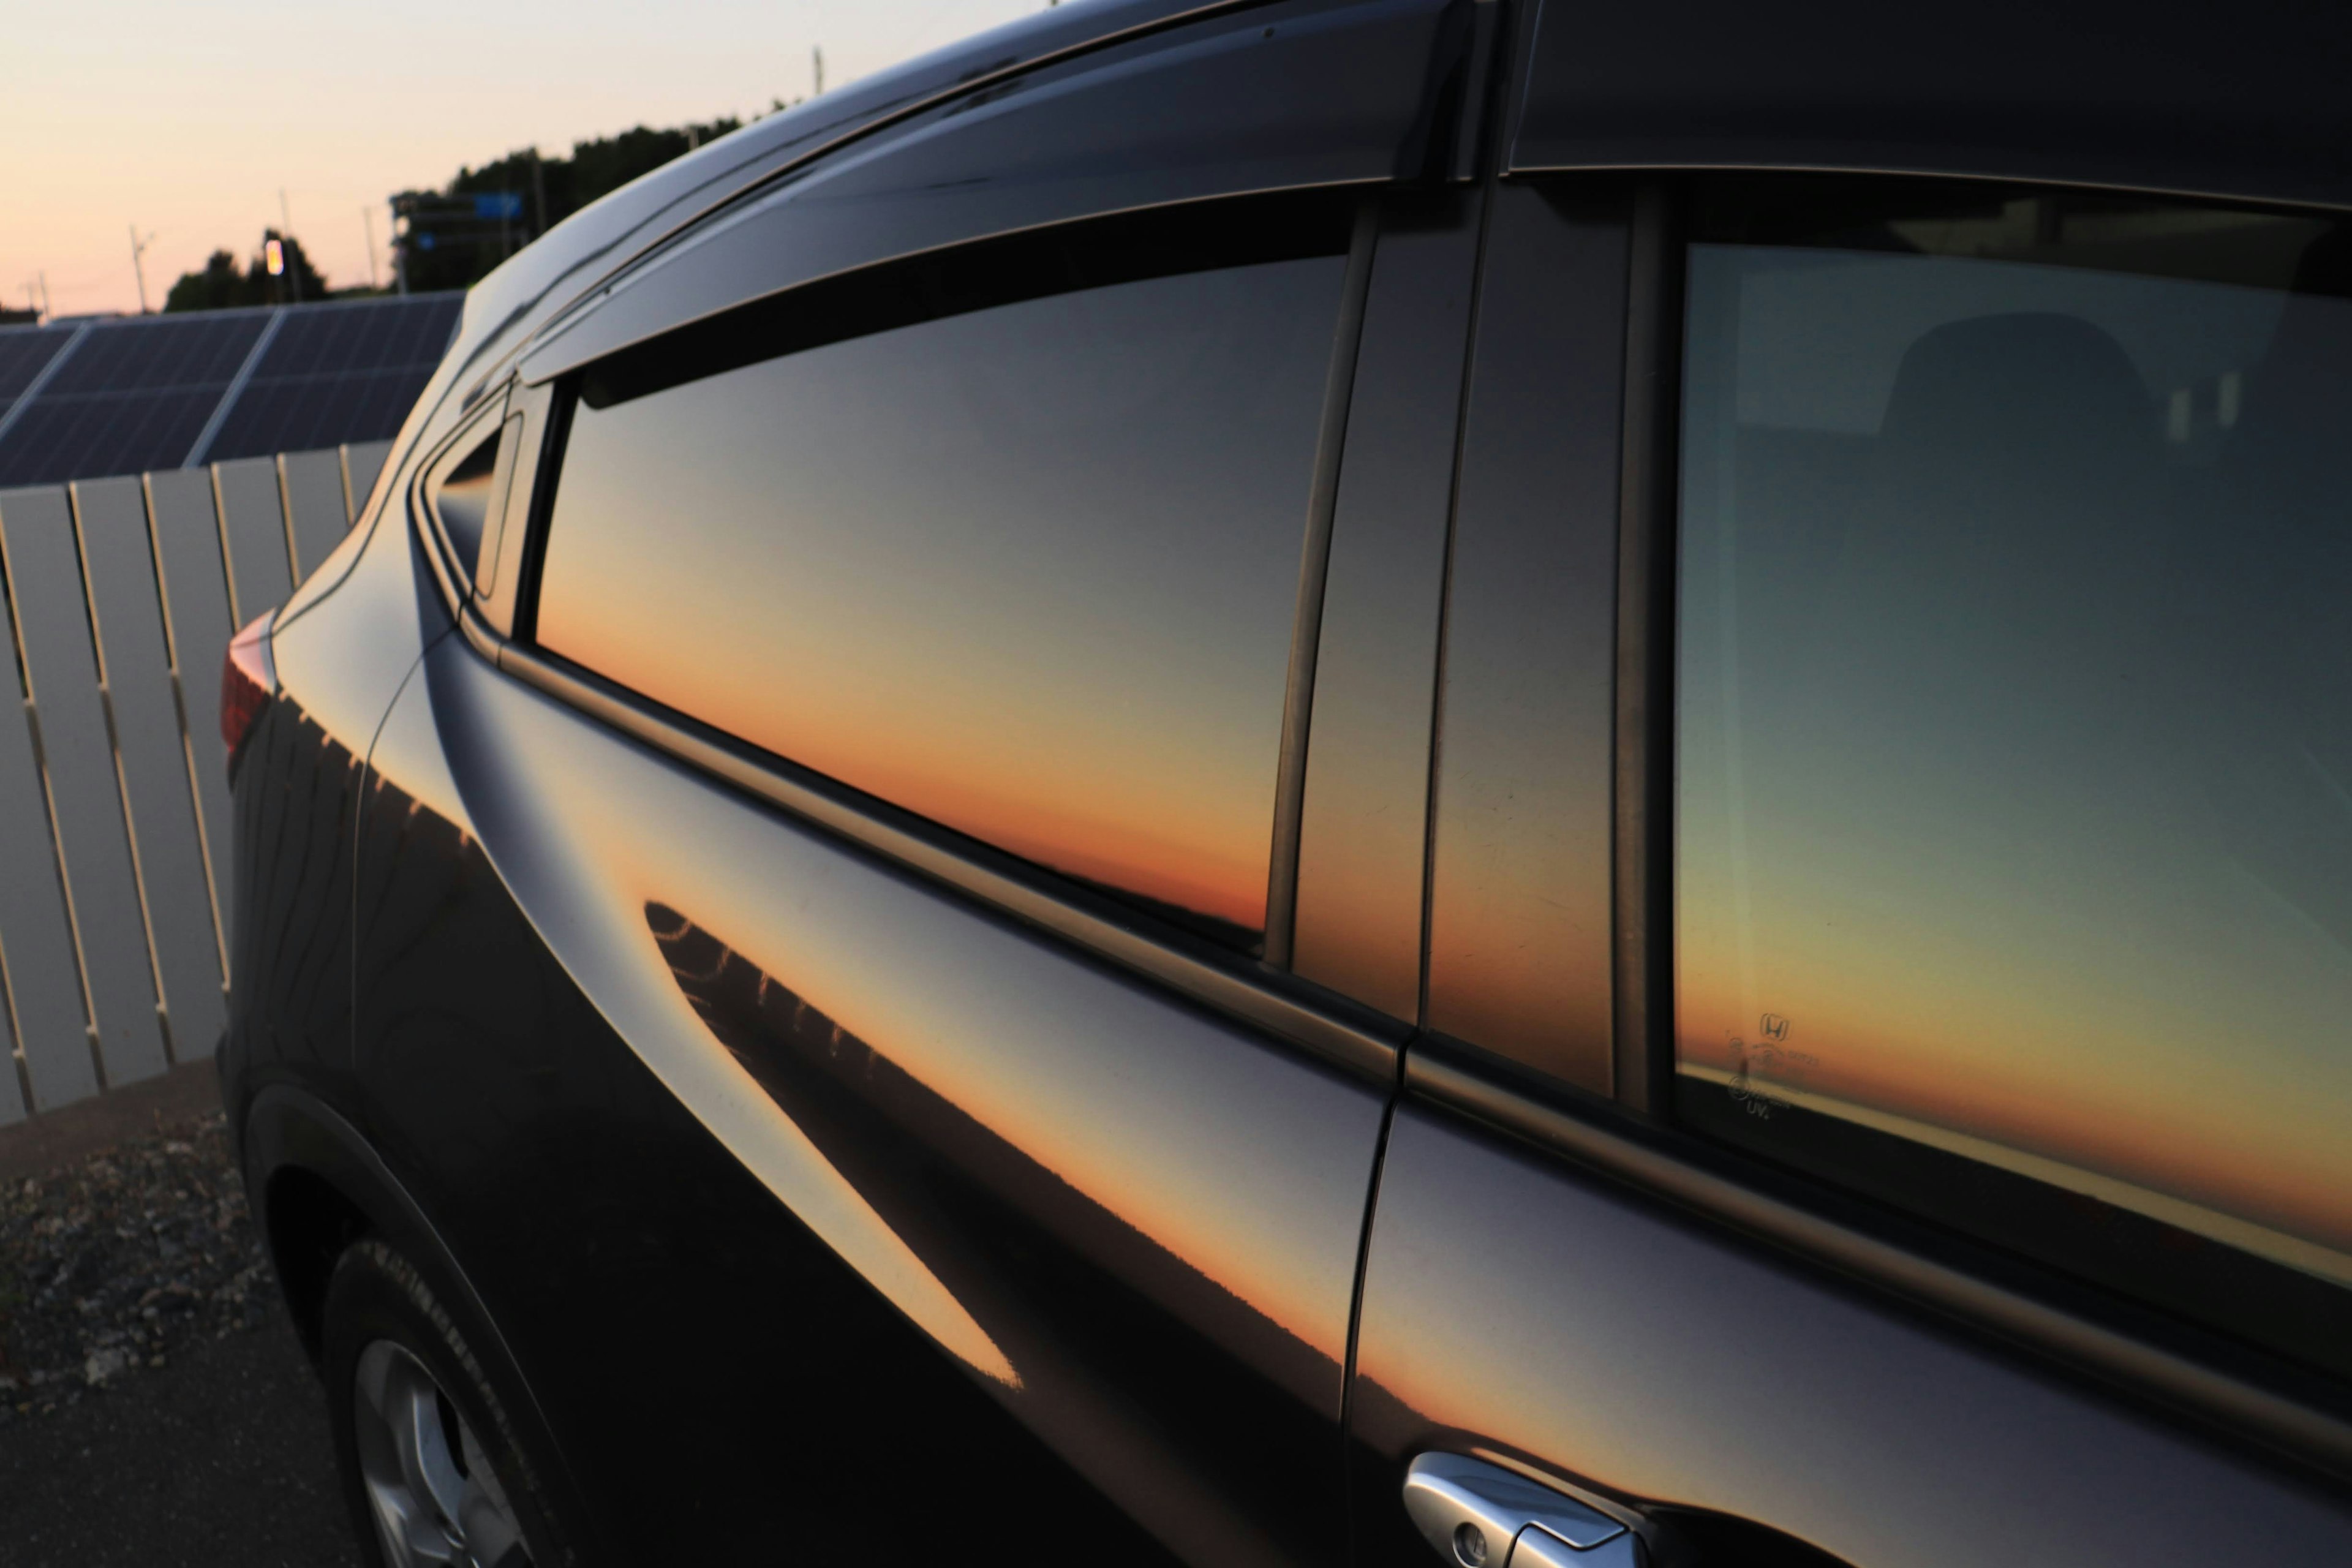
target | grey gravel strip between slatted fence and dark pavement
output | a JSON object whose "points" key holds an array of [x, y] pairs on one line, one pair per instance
{"points": [[119, 1264]]}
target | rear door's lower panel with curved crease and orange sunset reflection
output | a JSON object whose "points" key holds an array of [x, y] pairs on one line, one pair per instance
{"points": [[1180, 1184]]}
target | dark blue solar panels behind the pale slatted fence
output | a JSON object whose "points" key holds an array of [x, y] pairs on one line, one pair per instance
{"points": [[178, 391]]}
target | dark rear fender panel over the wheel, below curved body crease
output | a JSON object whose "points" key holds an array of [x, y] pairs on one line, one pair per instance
{"points": [[707, 1365]]}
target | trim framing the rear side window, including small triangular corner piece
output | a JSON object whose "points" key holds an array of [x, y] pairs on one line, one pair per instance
{"points": [[1257, 993]]}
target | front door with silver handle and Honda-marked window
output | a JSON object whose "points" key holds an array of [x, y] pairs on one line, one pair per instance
{"points": [[1883, 840]]}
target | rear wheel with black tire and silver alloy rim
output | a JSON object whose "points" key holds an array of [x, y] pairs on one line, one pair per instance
{"points": [[432, 1466]]}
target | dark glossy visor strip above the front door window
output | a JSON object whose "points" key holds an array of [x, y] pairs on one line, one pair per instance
{"points": [[2217, 98]]}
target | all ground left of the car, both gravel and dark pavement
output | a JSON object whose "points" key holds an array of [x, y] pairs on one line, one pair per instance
{"points": [[156, 1409]]}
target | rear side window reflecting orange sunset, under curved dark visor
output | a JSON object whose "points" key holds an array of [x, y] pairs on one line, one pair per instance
{"points": [[1008, 540]]}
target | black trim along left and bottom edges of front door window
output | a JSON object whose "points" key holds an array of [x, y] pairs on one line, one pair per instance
{"points": [[2283, 1409]]}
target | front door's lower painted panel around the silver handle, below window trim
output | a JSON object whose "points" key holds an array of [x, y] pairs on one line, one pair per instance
{"points": [[1525, 1308]]}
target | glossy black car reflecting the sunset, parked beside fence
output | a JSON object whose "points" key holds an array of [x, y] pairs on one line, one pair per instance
{"points": [[1335, 784]]}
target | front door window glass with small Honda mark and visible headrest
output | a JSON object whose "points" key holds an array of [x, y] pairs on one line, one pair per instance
{"points": [[2014, 742]]}
